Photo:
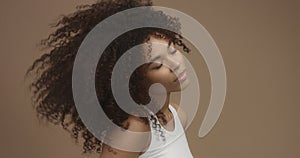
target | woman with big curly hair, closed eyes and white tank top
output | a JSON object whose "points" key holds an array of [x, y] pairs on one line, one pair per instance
{"points": [[52, 87]]}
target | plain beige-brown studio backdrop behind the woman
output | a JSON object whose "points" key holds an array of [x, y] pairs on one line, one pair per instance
{"points": [[259, 41]]}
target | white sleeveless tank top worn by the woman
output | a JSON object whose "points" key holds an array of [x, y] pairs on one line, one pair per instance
{"points": [[175, 144]]}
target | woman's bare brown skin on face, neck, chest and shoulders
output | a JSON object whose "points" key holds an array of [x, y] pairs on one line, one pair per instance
{"points": [[165, 74]]}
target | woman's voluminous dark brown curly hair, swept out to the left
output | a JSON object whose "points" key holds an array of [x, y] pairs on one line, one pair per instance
{"points": [[53, 70]]}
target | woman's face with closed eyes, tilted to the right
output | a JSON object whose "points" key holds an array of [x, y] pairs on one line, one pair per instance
{"points": [[166, 64]]}
